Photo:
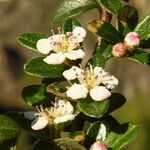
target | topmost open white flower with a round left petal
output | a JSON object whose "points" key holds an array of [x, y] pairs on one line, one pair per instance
{"points": [[62, 46]]}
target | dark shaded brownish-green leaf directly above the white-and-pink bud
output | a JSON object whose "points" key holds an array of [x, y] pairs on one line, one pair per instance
{"points": [[127, 19]]}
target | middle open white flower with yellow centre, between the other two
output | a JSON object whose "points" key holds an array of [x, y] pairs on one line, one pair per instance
{"points": [[96, 82]]}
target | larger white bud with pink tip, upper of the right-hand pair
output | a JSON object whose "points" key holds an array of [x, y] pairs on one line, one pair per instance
{"points": [[131, 41]]}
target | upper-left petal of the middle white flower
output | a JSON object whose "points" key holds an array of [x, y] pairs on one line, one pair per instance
{"points": [[72, 73]]}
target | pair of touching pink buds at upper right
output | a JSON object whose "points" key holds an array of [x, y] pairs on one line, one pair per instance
{"points": [[131, 42]]}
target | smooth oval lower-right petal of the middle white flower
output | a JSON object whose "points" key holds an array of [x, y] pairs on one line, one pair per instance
{"points": [[99, 93]]}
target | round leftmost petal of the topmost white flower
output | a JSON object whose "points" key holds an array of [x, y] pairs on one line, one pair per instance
{"points": [[43, 46]]}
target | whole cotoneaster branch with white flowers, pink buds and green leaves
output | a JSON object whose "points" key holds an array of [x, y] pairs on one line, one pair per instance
{"points": [[72, 104]]}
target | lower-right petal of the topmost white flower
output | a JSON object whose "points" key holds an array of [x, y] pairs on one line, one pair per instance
{"points": [[75, 54]]}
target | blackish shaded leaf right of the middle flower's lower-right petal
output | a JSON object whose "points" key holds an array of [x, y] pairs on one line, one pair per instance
{"points": [[116, 101]]}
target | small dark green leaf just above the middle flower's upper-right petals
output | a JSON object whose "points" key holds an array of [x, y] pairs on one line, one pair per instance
{"points": [[98, 60]]}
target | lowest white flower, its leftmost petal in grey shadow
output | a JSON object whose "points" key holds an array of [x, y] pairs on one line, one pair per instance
{"points": [[61, 112]]}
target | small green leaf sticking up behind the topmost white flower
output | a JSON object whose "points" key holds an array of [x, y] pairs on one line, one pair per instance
{"points": [[70, 24]]}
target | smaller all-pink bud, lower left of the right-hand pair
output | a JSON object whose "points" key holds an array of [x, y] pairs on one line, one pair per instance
{"points": [[119, 50]]}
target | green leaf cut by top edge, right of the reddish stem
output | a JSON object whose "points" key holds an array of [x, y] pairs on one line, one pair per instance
{"points": [[112, 6]]}
